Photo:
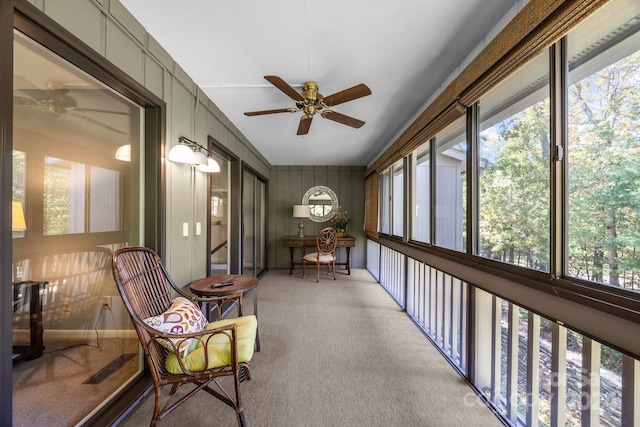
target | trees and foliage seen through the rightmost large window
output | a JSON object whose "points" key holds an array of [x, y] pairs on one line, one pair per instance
{"points": [[604, 175]]}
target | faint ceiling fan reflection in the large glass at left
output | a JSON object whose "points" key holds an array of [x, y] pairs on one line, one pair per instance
{"points": [[55, 100]]}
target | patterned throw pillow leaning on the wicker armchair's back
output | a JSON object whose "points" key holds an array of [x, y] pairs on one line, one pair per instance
{"points": [[182, 317]]}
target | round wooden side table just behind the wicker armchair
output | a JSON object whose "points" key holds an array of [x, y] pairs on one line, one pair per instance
{"points": [[241, 284]]}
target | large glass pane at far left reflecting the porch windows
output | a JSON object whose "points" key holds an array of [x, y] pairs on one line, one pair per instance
{"points": [[80, 203]]}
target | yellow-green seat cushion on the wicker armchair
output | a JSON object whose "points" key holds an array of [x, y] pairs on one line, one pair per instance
{"points": [[218, 347]]}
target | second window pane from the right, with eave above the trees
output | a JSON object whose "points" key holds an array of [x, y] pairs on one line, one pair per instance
{"points": [[513, 168]]}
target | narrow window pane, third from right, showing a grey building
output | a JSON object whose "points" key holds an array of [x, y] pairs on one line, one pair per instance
{"points": [[451, 164]]}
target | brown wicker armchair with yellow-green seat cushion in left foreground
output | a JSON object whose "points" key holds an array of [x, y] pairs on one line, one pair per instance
{"points": [[223, 349]]}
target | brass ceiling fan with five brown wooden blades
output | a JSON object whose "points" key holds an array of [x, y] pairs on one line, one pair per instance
{"points": [[310, 102]]}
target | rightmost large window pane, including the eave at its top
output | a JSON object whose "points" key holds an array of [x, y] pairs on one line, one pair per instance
{"points": [[603, 150]]}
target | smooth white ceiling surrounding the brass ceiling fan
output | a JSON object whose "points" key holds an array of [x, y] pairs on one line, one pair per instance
{"points": [[403, 50]]}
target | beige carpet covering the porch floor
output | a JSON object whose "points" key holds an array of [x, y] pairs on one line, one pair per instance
{"points": [[336, 353]]}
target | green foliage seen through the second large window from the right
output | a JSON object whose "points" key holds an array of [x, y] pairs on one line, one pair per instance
{"points": [[514, 190]]}
